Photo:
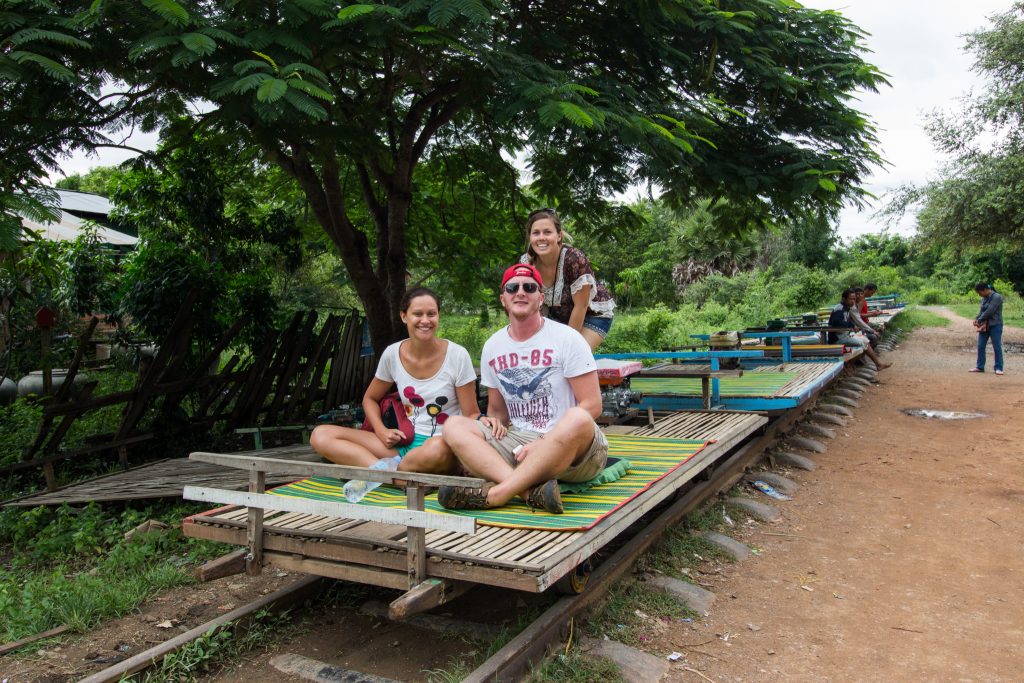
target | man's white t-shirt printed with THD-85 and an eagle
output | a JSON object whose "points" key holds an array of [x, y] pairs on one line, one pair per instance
{"points": [[533, 375]]}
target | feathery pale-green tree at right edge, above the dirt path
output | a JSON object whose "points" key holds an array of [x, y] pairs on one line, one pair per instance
{"points": [[978, 198]]}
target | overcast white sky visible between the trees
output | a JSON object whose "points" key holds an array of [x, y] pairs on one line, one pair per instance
{"points": [[918, 44]]}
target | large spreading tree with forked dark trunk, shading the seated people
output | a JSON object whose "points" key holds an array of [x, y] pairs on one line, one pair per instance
{"points": [[745, 100]]}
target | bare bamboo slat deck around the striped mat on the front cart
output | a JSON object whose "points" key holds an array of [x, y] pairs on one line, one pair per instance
{"points": [[523, 560]]}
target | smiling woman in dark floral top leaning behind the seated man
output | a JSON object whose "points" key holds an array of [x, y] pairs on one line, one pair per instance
{"points": [[572, 293]]}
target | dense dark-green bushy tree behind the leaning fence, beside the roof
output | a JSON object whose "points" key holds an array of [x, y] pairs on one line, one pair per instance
{"points": [[210, 219]]}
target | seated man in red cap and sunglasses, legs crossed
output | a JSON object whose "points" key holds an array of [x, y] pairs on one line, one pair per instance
{"points": [[542, 380]]}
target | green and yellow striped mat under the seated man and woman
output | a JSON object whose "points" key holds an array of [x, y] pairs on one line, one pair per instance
{"points": [[651, 459]]}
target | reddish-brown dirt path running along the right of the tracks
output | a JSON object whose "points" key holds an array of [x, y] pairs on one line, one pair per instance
{"points": [[909, 536]]}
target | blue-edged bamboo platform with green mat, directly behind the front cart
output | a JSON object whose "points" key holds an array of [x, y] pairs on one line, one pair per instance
{"points": [[765, 387]]}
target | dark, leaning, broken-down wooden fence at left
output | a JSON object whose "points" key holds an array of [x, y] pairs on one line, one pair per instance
{"points": [[295, 375]]}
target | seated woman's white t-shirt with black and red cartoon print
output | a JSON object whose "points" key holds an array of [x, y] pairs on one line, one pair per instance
{"points": [[429, 403]]}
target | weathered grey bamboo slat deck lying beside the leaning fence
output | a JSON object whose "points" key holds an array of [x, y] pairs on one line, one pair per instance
{"points": [[165, 479]]}
